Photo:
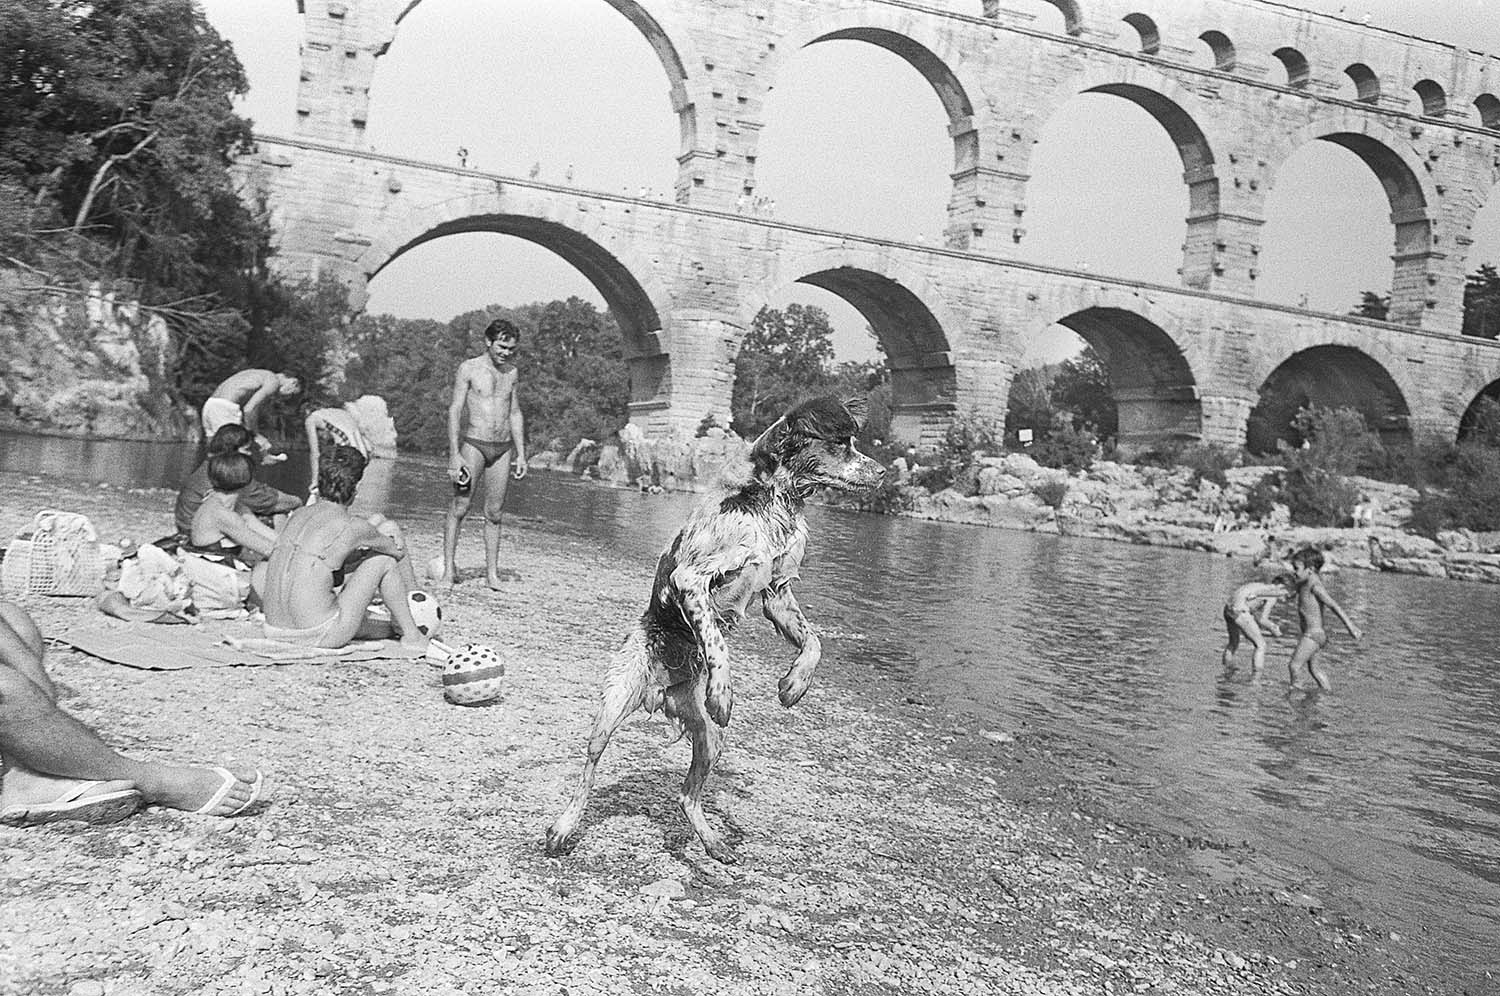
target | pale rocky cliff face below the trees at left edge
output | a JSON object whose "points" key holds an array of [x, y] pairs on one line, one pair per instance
{"points": [[86, 365]]}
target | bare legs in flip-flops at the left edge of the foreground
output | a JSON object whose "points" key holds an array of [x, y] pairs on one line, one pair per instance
{"points": [[55, 766]]}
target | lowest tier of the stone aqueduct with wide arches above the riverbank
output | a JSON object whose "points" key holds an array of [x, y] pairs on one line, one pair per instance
{"points": [[685, 281]]}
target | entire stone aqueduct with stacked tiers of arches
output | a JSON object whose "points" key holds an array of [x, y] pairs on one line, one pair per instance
{"points": [[685, 278]]}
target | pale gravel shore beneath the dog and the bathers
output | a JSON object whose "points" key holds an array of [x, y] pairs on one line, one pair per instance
{"points": [[886, 847]]}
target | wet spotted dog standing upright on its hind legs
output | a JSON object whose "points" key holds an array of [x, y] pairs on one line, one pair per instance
{"points": [[739, 545]]}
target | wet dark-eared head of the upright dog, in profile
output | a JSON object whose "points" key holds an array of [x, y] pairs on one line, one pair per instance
{"points": [[814, 445]]}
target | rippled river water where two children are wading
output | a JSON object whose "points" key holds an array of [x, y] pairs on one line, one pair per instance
{"points": [[1382, 796]]}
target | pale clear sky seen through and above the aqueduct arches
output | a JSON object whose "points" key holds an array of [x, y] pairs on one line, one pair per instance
{"points": [[854, 140]]}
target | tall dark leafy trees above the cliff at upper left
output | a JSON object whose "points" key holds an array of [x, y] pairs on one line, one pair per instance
{"points": [[118, 136]]}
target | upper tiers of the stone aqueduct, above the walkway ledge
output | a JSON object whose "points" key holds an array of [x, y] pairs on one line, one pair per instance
{"points": [[1238, 86]]}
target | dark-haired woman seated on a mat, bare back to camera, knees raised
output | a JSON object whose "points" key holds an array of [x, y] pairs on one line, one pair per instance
{"points": [[329, 565]]}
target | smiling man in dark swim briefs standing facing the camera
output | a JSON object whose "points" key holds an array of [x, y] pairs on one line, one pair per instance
{"points": [[485, 391]]}
